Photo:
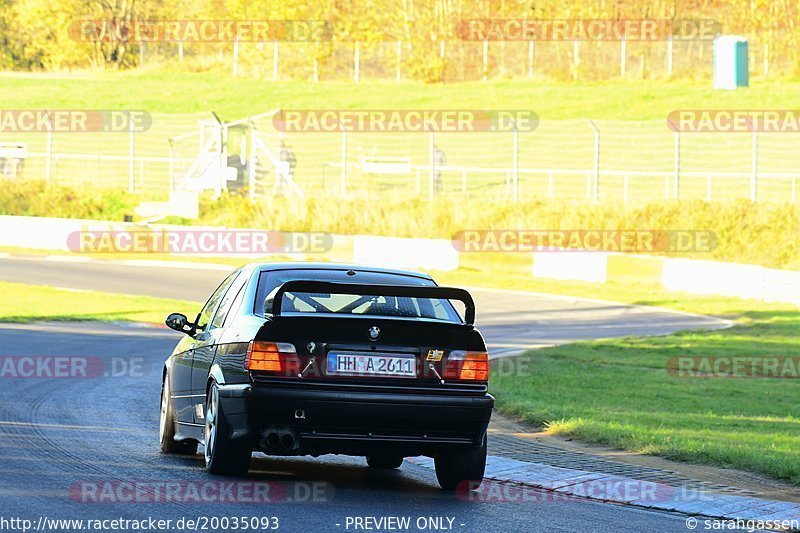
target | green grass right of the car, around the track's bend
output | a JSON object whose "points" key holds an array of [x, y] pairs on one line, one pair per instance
{"points": [[619, 393]]}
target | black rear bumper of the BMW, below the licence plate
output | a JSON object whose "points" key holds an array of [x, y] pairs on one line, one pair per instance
{"points": [[355, 422]]}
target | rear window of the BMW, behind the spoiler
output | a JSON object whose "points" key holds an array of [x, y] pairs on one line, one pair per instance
{"points": [[353, 304]]}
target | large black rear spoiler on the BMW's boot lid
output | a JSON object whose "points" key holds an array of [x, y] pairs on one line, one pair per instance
{"points": [[415, 291]]}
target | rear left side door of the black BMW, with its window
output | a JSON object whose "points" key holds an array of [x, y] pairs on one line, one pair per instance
{"points": [[206, 341]]}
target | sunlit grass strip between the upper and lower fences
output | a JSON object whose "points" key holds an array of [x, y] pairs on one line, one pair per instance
{"points": [[160, 91]]}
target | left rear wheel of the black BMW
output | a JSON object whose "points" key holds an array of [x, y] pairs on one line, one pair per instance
{"points": [[223, 455]]}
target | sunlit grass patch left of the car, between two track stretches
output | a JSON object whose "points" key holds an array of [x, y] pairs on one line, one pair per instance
{"points": [[23, 303]]}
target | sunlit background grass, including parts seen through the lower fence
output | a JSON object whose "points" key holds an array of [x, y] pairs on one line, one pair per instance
{"points": [[631, 117]]}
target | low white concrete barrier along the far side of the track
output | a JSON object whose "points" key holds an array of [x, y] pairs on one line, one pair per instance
{"points": [[688, 275]]}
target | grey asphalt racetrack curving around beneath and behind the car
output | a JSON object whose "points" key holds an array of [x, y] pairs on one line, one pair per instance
{"points": [[87, 448]]}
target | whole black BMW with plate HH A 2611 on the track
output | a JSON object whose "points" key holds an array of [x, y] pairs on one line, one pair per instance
{"points": [[309, 359]]}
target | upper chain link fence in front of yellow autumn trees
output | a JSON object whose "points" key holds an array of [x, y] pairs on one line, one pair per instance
{"points": [[458, 61]]}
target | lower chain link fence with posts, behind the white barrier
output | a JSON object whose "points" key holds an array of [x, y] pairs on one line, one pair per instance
{"points": [[598, 161]]}
